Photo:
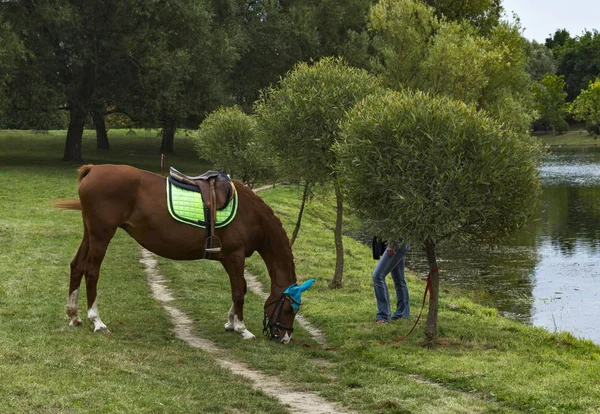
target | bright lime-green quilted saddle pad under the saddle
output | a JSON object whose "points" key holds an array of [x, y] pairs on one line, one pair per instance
{"points": [[185, 205]]}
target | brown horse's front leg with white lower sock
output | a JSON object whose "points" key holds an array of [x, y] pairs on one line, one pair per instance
{"points": [[234, 265]]}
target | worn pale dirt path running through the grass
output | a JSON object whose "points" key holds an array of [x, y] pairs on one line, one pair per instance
{"points": [[296, 401]]}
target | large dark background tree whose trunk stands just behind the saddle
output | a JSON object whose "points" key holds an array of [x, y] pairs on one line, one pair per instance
{"points": [[192, 78]]}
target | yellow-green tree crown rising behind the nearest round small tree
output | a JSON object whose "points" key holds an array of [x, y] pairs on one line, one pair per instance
{"points": [[418, 51]]}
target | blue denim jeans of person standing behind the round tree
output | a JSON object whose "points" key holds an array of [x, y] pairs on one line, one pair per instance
{"points": [[394, 265]]}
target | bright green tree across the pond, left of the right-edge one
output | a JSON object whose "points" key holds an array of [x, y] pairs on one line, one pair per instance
{"points": [[549, 97]]}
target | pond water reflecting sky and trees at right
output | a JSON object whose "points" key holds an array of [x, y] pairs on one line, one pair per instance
{"points": [[548, 274]]}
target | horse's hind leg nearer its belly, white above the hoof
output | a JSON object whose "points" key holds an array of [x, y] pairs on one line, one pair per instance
{"points": [[98, 243]]}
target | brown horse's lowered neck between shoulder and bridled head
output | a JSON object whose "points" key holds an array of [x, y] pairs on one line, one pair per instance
{"points": [[277, 254]]}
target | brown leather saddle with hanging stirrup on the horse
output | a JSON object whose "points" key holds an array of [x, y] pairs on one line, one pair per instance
{"points": [[217, 191]]}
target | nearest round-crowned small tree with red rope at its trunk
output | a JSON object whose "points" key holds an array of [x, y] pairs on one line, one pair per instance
{"points": [[431, 170]]}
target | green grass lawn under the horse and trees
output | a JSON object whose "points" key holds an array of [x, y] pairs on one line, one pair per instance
{"points": [[482, 363]]}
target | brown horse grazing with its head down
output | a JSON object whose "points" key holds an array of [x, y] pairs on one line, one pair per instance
{"points": [[113, 196]]}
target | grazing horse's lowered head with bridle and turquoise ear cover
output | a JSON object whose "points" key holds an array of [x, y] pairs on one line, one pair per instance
{"points": [[280, 312]]}
